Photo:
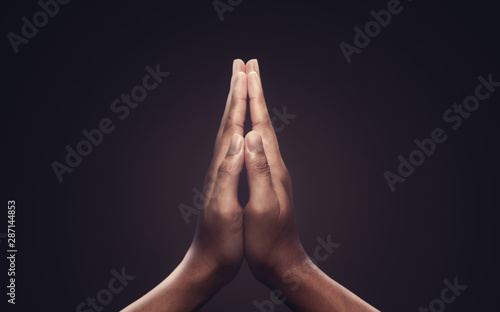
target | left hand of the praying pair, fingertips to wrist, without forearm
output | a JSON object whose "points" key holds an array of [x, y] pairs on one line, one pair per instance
{"points": [[219, 234]]}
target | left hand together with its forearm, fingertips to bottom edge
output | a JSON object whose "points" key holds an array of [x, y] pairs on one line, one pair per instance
{"points": [[216, 253]]}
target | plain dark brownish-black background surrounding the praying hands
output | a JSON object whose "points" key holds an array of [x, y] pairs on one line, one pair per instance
{"points": [[119, 208]]}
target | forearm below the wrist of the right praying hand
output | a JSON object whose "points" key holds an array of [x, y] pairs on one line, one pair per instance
{"points": [[307, 288]]}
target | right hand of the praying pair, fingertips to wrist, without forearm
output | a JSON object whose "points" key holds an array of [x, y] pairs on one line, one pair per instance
{"points": [[272, 244]]}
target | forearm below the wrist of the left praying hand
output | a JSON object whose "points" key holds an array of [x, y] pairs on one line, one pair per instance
{"points": [[187, 288]]}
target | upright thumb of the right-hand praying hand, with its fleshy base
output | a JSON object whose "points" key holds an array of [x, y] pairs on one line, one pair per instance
{"points": [[262, 198]]}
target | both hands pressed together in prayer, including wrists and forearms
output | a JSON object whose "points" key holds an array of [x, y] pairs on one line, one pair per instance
{"points": [[263, 232]]}
